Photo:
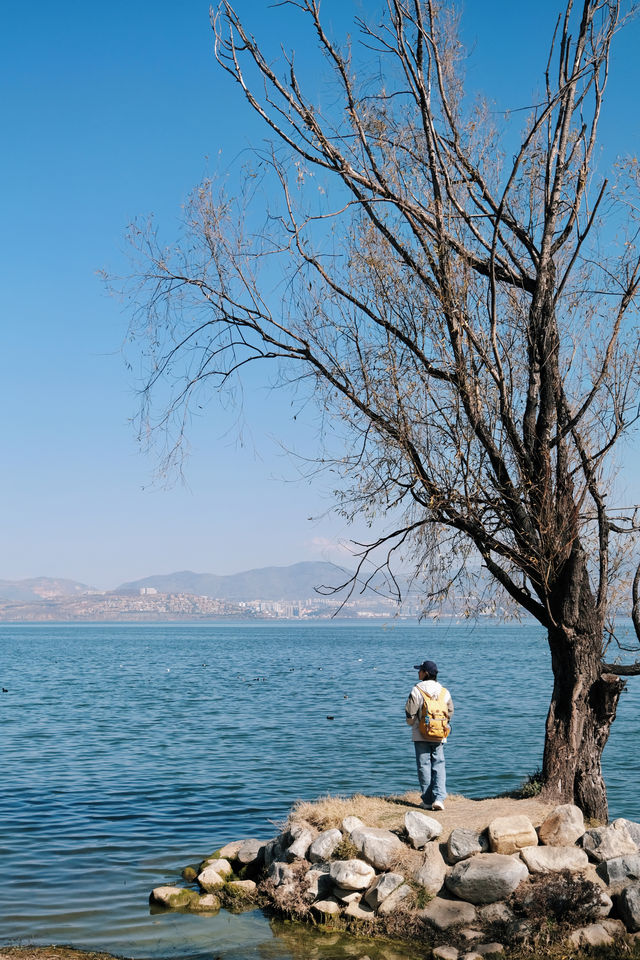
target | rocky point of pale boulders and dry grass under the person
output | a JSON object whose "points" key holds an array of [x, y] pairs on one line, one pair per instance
{"points": [[529, 875]]}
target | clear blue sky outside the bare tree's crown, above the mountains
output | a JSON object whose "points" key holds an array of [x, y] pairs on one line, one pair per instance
{"points": [[113, 111]]}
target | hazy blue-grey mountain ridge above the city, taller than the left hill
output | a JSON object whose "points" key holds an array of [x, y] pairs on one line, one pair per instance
{"points": [[294, 582]]}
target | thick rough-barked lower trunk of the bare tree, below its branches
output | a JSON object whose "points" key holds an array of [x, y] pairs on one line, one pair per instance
{"points": [[583, 707]]}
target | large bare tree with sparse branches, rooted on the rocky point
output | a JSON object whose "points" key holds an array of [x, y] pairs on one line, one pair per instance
{"points": [[466, 309]]}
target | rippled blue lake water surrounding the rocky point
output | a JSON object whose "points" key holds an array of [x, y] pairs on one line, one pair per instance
{"points": [[131, 750]]}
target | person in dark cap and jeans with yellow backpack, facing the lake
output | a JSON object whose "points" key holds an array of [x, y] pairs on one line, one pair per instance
{"points": [[428, 710]]}
